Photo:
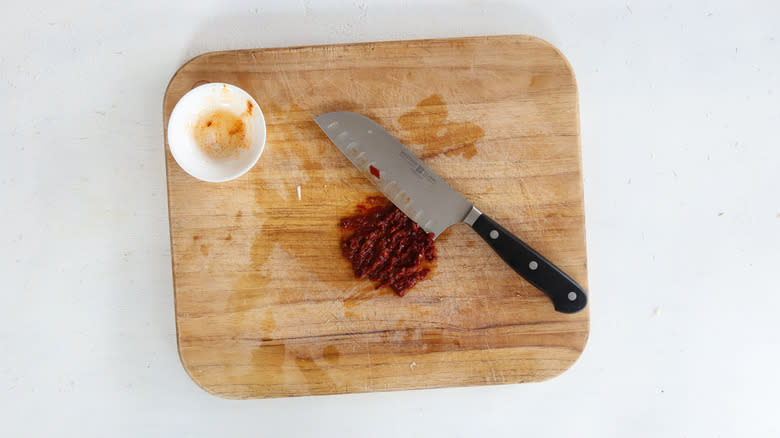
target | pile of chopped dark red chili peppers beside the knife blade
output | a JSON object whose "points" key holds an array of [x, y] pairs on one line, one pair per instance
{"points": [[386, 246]]}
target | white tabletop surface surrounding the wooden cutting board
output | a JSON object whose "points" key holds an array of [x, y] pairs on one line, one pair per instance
{"points": [[679, 110]]}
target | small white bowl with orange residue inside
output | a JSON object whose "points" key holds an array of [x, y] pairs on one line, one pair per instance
{"points": [[215, 152]]}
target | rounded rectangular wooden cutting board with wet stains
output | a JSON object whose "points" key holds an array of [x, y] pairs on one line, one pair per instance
{"points": [[266, 306]]}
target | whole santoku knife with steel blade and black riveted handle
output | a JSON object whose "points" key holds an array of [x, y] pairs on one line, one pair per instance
{"points": [[434, 205]]}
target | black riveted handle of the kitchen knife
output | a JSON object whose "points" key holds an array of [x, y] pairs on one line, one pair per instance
{"points": [[567, 296]]}
